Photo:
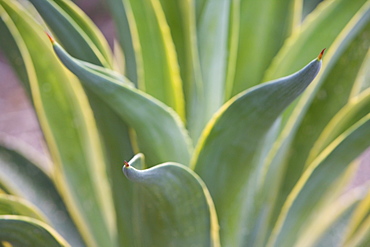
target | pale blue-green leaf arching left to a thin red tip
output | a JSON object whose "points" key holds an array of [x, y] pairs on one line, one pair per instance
{"points": [[161, 135]]}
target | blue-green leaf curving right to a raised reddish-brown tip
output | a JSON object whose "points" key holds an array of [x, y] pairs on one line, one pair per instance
{"points": [[224, 156]]}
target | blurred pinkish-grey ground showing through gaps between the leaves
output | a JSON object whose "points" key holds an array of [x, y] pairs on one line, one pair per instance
{"points": [[18, 119]]}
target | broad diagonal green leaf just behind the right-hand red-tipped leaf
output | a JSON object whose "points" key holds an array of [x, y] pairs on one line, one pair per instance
{"points": [[332, 93]]}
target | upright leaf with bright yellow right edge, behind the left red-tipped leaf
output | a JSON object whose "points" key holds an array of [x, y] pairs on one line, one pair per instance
{"points": [[156, 58]]}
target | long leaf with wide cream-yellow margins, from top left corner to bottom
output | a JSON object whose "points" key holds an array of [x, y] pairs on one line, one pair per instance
{"points": [[70, 132]]}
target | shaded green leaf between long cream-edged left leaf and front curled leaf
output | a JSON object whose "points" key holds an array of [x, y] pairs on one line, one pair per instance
{"points": [[117, 147]]}
